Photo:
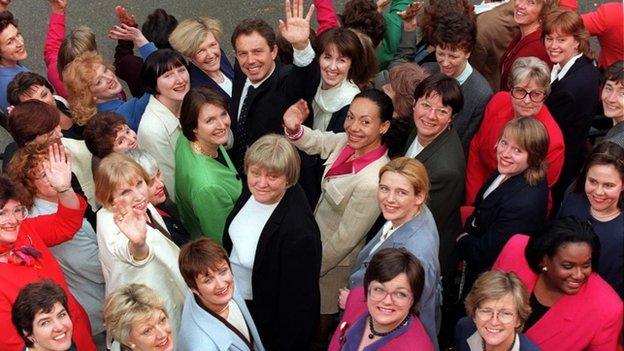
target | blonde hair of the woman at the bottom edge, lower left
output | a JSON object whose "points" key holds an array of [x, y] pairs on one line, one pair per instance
{"points": [[127, 304]]}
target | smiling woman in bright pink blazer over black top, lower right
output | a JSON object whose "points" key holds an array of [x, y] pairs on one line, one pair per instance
{"points": [[573, 308]]}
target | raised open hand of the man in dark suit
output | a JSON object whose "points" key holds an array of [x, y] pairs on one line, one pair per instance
{"points": [[296, 28]]}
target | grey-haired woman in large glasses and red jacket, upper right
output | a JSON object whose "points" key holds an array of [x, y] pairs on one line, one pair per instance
{"points": [[529, 85]]}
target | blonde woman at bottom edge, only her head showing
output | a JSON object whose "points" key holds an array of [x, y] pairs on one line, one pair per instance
{"points": [[136, 317]]}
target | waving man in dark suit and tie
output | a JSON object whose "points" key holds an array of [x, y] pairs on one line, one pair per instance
{"points": [[264, 88]]}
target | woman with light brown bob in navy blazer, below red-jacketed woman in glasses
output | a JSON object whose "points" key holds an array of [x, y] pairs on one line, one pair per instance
{"points": [[513, 200]]}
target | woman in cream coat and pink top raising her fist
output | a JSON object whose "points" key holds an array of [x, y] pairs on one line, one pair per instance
{"points": [[348, 207]]}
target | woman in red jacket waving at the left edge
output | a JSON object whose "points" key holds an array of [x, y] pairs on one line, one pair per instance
{"points": [[24, 254]]}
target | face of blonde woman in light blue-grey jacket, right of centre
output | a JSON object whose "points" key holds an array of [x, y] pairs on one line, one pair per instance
{"points": [[397, 199]]}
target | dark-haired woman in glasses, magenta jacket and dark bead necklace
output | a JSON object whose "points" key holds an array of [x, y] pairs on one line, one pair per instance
{"points": [[382, 315]]}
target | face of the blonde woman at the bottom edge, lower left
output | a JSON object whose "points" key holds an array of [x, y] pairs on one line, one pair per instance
{"points": [[151, 334]]}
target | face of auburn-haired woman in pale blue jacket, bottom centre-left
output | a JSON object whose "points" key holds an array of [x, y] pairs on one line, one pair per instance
{"points": [[216, 287]]}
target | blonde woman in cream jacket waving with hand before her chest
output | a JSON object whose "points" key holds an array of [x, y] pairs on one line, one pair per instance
{"points": [[134, 244]]}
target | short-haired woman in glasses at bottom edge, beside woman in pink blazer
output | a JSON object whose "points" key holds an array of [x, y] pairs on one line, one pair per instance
{"points": [[497, 307]]}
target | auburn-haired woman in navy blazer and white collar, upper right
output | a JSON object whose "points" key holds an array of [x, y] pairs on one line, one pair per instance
{"points": [[575, 90]]}
